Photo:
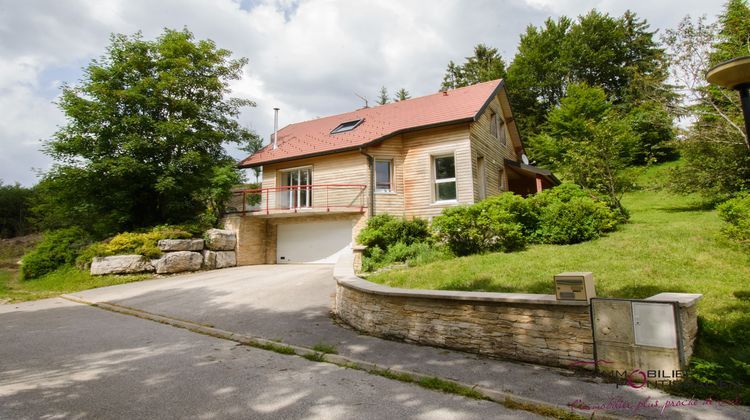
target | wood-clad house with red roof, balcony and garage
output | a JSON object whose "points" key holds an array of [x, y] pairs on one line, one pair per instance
{"points": [[323, 178]]}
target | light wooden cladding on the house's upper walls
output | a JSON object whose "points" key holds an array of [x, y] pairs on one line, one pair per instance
{"points": [[412, 162]]}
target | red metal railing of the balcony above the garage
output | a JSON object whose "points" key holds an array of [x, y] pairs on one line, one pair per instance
{"points": [[298, 198]]}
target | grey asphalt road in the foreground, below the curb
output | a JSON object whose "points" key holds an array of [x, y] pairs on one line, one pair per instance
{"points": [[64, 360]]}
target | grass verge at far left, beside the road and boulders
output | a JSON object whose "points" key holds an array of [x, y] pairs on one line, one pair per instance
{"points": [[64, 280]]}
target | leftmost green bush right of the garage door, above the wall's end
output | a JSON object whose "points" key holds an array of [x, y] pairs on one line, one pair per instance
{"points": [[384, 230]]}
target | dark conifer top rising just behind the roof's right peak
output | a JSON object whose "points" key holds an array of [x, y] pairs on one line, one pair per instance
{"points": [[486, 64]]}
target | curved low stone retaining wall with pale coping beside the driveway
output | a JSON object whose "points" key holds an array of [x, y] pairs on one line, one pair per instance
{"points": [[527, 327]]}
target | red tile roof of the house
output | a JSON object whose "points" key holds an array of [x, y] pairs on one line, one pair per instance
{"points": [[312, 138]]}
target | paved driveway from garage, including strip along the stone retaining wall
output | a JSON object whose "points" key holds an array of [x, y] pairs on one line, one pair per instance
{"points": [[291, 303]]}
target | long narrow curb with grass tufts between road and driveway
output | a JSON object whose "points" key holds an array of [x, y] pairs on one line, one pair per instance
{"points": [[343, 361]]}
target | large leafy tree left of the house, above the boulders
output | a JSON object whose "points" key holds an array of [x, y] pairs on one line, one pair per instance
{"points": [[144, 137]]}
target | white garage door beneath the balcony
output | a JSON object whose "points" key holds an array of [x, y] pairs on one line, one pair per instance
{"points": [[317, 242]]}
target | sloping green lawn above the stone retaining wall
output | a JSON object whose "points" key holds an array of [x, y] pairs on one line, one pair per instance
{"points": [[671, 244]]}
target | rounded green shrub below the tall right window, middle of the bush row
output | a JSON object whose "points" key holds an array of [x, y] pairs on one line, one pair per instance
{"points": [[483, 227]]}
